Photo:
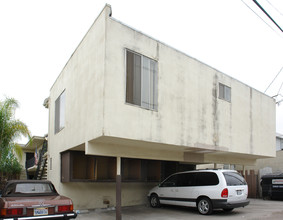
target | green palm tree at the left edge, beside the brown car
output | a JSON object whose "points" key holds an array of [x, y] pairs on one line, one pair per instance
{"points": [[10, 129]]}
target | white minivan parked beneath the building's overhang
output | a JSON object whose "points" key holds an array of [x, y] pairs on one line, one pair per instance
{"points": [[204, 189]]}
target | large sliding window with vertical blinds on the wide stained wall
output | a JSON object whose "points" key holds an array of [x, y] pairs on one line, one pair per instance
{"points": [[141, 87]]}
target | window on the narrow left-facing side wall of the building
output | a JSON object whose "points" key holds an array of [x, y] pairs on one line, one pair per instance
{"points": [[60, 112]]}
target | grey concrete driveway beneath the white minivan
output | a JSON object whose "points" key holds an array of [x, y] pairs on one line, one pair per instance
{"points": [[257, 209]]}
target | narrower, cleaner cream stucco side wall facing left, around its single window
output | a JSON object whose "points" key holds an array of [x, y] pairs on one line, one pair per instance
{"points": [[82, 79]]}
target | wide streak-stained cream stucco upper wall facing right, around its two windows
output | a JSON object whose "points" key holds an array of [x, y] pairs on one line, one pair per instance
{"points": [[190, 114]]}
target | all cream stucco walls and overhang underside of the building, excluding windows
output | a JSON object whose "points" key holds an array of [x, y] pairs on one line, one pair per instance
{"points": [[190, 116]]}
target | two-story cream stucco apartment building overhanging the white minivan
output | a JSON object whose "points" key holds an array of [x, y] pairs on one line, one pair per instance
{"points": [[128, 107]]}
